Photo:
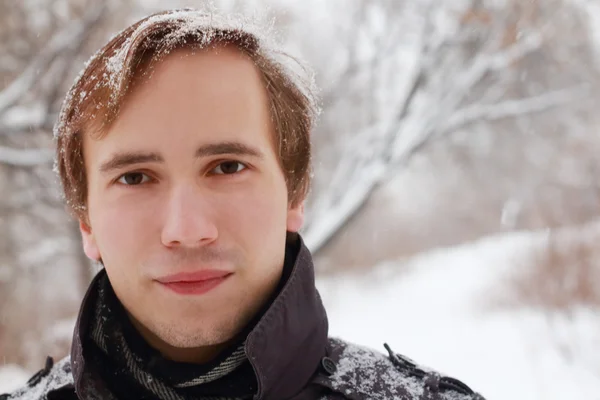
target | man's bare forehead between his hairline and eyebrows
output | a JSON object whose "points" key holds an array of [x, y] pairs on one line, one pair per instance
{"points": [[214, 93]]}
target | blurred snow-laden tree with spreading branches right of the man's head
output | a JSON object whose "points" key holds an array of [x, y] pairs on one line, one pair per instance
{"points": [[436, 69]]}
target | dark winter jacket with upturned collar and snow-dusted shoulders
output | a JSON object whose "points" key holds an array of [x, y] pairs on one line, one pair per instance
{"points": [[290, 353]]}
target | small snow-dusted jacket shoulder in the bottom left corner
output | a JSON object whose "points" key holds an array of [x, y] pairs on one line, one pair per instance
{"points": [[53, 376]]}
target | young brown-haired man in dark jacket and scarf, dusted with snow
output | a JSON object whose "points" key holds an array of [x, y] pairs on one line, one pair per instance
{"points": [[184, 152]]}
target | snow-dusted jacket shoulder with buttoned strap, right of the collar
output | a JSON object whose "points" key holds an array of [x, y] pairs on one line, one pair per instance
{"points": [[362, 373]]}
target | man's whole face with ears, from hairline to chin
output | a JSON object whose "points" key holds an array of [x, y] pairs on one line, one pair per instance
{"points": [[187, 181]]}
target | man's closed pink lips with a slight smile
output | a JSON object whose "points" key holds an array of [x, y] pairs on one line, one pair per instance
{"points": [[194, 283]]}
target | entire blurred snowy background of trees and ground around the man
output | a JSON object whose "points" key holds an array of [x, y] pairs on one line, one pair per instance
{"points": [[454, 210]]}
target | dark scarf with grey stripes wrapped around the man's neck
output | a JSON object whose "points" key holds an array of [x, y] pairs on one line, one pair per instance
{"points": [[112, 342]]}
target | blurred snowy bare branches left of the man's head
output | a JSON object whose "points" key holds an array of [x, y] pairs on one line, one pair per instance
{"points": [[40, 53]]}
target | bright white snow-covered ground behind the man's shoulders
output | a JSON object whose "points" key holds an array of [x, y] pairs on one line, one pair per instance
{"points": [[437, 309]]}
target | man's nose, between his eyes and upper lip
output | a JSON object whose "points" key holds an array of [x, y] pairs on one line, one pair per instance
{"points": [[189, 219]]}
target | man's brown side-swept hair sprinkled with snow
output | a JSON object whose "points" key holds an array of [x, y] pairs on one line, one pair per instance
{"points": [[93, 102]]}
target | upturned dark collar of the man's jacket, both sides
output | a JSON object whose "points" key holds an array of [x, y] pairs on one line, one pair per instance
{"points": [[284, 348]]}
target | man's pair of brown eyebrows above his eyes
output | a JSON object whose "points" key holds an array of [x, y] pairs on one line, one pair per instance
{"points": [[124, 159]]}
